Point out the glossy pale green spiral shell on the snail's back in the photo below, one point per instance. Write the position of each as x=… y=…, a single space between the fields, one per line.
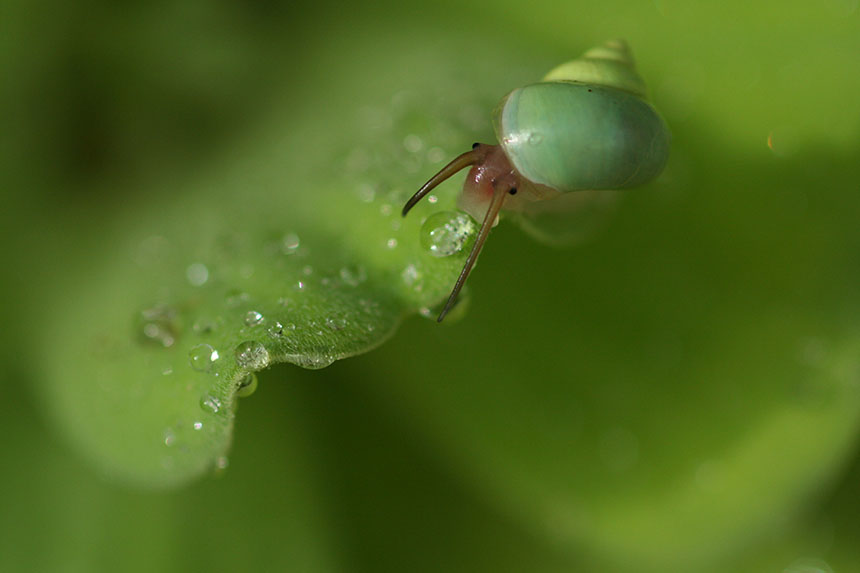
x=586 y=126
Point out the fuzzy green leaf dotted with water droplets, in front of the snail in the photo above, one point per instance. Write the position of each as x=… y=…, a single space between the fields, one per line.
x=265 y=260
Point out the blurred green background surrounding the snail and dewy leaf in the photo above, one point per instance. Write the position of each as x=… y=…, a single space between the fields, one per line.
x=681 y=392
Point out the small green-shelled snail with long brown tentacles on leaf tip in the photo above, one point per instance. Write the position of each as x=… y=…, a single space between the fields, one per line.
x=585 y=126
